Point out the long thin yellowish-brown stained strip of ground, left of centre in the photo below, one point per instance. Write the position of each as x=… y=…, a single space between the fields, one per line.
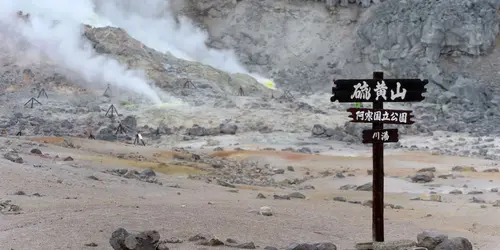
x=157 y=167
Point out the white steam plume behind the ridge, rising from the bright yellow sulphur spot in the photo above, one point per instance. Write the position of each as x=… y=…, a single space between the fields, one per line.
x=152 y=22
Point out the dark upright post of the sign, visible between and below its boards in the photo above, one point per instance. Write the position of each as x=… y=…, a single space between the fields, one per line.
x=378 y=176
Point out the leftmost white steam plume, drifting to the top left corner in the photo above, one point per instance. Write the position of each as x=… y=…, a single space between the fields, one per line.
x=63 y=43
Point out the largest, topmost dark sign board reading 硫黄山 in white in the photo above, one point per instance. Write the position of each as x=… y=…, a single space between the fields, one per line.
x=370 y=90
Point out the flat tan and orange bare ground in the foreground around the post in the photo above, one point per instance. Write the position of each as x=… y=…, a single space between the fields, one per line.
x=68 y=199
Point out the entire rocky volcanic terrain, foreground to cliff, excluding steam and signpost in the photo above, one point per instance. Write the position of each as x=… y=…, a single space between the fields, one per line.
x=216 y=162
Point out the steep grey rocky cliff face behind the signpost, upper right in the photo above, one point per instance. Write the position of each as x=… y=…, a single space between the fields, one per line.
x=451 y=42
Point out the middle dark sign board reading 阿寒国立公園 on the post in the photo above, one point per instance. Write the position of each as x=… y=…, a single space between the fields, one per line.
x=387 y=116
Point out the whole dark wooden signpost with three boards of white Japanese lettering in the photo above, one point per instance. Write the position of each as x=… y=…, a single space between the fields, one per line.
x=377 y=91
